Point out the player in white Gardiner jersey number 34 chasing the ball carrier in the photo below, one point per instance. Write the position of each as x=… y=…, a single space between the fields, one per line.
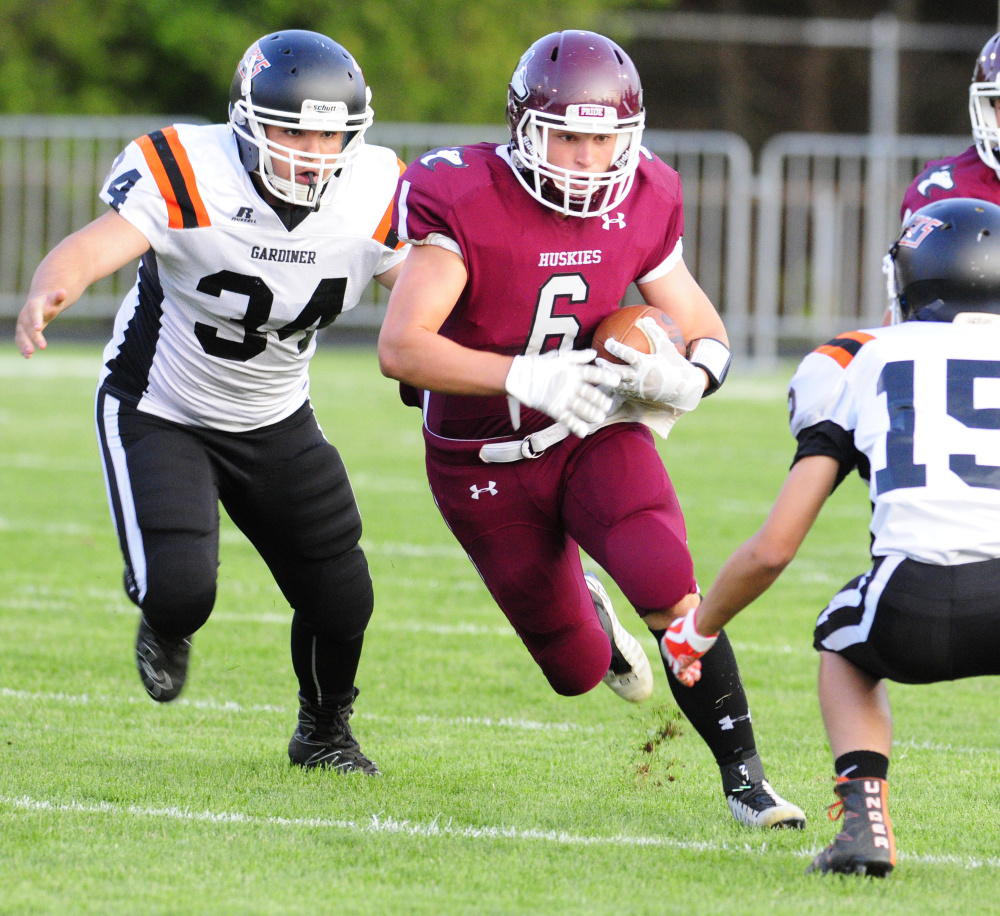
x=252 y=236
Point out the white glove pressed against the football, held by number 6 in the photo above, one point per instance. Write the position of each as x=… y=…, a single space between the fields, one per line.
x=662 y=375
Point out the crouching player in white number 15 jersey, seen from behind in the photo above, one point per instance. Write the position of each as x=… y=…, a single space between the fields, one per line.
x=914 y=407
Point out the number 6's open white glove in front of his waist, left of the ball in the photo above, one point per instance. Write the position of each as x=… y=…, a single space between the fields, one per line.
x=563 y=386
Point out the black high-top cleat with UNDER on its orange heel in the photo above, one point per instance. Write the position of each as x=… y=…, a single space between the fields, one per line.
x=866 y=844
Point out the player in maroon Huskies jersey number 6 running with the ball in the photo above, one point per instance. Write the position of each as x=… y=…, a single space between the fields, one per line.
x=533 y=451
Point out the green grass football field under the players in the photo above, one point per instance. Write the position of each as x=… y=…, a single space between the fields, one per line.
x=498 y=796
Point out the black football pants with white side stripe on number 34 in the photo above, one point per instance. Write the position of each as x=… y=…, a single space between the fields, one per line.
x=284 y=486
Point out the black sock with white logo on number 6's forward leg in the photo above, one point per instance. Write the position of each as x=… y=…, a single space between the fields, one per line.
x=717 y=705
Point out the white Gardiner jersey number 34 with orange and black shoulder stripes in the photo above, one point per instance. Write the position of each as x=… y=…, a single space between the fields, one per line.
x=220 y=327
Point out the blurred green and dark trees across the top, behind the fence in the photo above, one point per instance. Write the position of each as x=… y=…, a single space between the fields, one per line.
x=450 y=60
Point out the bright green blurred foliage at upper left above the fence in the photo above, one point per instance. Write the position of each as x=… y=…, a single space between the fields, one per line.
x=426 y=60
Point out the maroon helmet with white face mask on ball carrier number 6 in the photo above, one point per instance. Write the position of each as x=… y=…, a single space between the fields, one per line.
x=584 y=83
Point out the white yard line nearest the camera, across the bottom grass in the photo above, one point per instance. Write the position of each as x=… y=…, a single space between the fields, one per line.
x=444 y=827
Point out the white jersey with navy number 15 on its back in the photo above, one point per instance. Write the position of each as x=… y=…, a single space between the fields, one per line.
x=916 y=406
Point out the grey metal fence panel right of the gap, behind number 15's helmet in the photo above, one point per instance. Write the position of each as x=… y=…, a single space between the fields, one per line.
x=827 y=211
